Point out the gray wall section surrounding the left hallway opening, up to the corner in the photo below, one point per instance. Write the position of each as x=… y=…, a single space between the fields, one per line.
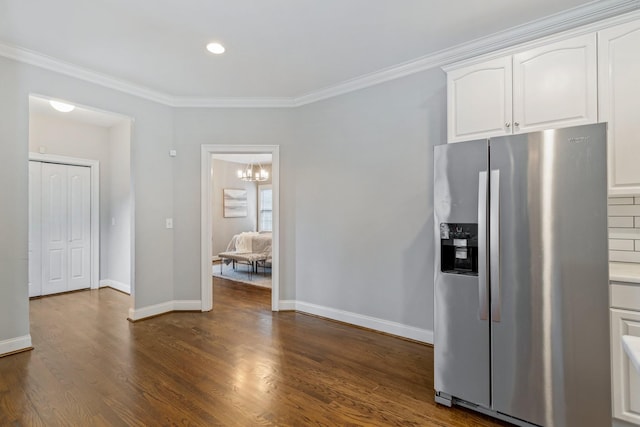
x=152 y=177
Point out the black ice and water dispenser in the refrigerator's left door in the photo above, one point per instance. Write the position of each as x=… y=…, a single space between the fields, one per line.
x=459 y=248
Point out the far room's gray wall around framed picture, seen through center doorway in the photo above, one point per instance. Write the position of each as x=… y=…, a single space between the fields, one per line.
x=223 y=229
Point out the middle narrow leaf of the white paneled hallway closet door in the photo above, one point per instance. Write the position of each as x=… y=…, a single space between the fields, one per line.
x=55 y=233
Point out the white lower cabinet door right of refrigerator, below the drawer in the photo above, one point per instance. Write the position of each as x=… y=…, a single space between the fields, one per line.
x=626 y=380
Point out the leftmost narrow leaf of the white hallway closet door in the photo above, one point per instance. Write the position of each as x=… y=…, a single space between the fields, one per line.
x=35 y=230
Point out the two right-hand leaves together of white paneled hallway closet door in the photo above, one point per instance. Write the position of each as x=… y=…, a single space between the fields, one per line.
x=66 y=228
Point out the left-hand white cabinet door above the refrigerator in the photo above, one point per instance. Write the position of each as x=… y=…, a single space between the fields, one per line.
x=479 y=100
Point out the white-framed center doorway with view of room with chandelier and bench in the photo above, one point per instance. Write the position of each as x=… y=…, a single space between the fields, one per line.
x=240 y=217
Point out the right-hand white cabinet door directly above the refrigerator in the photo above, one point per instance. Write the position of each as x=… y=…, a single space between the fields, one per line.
x=555 y=85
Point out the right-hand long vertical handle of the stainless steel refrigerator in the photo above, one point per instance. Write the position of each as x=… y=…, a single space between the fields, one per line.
x=494 y=244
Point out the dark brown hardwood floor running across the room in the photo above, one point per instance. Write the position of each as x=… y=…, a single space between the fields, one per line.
x=239 y=365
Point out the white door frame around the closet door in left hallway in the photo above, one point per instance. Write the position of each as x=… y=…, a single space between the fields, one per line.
x=94 y=165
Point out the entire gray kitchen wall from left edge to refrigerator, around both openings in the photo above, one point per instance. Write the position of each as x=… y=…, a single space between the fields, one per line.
x=355 y=187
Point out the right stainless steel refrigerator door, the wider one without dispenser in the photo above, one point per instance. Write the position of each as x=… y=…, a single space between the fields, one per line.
x=550 y=344
